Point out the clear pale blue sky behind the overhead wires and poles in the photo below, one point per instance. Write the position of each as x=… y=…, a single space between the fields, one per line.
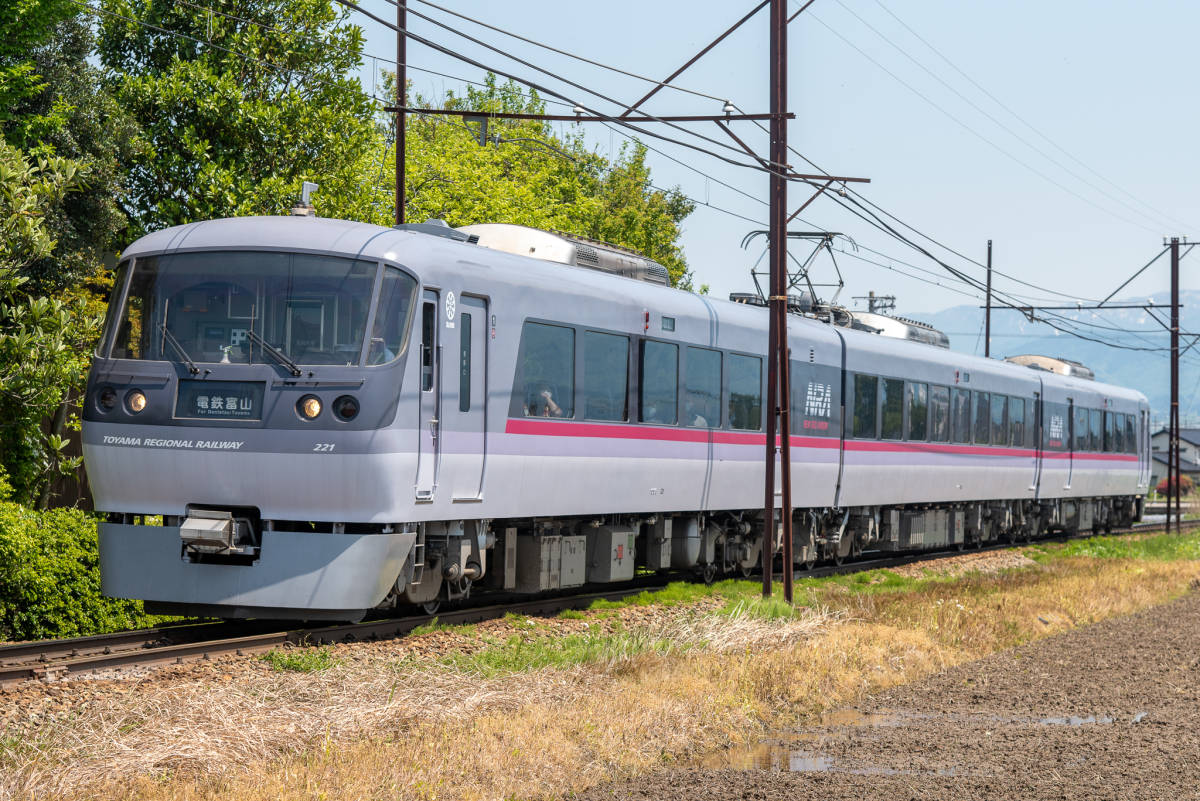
x=1108 y=83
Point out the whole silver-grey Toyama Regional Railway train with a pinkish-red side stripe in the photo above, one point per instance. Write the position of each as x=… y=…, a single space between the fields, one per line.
x=307 y=418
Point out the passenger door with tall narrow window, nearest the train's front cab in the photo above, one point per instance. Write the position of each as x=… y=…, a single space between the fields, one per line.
x=465 y=414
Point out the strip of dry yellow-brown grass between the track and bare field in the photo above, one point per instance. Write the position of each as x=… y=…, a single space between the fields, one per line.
x=422 y=730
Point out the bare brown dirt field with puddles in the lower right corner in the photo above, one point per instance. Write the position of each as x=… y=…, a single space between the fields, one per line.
x=1105 y=712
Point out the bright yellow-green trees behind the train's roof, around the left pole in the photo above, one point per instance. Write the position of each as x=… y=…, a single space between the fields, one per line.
x=524 y=173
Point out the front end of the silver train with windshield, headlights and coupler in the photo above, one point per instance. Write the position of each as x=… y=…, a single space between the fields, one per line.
x=242 y=433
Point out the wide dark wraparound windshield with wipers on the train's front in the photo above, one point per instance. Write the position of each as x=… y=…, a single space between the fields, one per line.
x=226 y=306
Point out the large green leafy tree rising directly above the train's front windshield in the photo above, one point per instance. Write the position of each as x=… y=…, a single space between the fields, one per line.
x=249 y=100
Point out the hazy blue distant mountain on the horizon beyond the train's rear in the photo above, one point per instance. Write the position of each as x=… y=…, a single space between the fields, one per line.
x=1149 y=372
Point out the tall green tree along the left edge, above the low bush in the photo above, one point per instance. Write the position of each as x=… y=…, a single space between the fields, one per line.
x=62 y=185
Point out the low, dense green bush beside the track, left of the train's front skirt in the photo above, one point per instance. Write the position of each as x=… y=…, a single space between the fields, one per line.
x=50 y=577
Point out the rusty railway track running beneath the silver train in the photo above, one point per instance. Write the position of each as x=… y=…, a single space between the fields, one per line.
x=51 y=660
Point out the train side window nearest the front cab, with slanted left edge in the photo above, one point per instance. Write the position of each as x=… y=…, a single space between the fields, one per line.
x=545 y=381
